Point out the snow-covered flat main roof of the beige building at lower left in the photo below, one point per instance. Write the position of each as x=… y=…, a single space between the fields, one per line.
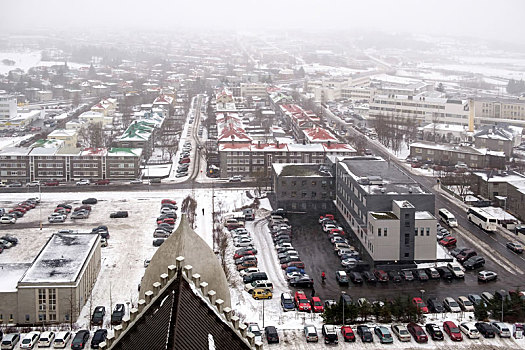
x=61 y=259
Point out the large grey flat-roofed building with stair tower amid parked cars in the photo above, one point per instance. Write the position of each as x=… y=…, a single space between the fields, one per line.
x=368 y=185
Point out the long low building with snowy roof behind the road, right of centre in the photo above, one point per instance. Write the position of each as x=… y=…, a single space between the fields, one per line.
x=451 y=155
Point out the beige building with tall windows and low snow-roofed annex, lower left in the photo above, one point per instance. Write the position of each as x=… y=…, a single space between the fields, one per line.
x=55 y=287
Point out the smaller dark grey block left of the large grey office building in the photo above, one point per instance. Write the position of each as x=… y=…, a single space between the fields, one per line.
x=303 y=187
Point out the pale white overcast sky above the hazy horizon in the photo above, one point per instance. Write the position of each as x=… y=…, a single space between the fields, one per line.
x=496 y=19
